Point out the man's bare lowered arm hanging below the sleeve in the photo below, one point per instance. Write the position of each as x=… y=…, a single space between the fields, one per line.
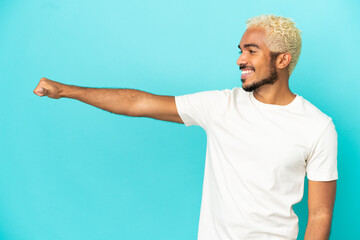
x=321 y=199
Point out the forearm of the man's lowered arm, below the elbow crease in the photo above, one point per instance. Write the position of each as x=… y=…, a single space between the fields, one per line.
x=318 y=228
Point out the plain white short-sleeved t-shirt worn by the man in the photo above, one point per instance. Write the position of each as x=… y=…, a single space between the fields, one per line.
x=256 y=159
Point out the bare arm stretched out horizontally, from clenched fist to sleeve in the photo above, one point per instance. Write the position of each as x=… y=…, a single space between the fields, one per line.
x=128 y=102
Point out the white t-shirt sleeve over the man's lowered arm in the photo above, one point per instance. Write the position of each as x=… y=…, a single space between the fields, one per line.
x=322 y=163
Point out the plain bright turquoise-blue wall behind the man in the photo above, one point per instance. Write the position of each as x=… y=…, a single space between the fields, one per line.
x=71 y=171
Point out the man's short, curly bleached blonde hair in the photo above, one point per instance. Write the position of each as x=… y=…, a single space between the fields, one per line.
x=281 y=35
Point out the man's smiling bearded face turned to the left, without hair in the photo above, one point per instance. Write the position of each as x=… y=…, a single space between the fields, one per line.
x=256 y=61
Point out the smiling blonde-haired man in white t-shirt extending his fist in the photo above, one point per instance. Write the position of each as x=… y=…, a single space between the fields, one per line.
x=262 y=139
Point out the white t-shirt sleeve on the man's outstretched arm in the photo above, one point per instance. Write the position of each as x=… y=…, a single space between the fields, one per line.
x=198 y=108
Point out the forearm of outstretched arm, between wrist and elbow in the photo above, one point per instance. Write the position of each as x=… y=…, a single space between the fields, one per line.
x=119 y=101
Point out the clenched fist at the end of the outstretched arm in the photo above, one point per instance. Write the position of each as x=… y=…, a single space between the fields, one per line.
x=47 y=87
